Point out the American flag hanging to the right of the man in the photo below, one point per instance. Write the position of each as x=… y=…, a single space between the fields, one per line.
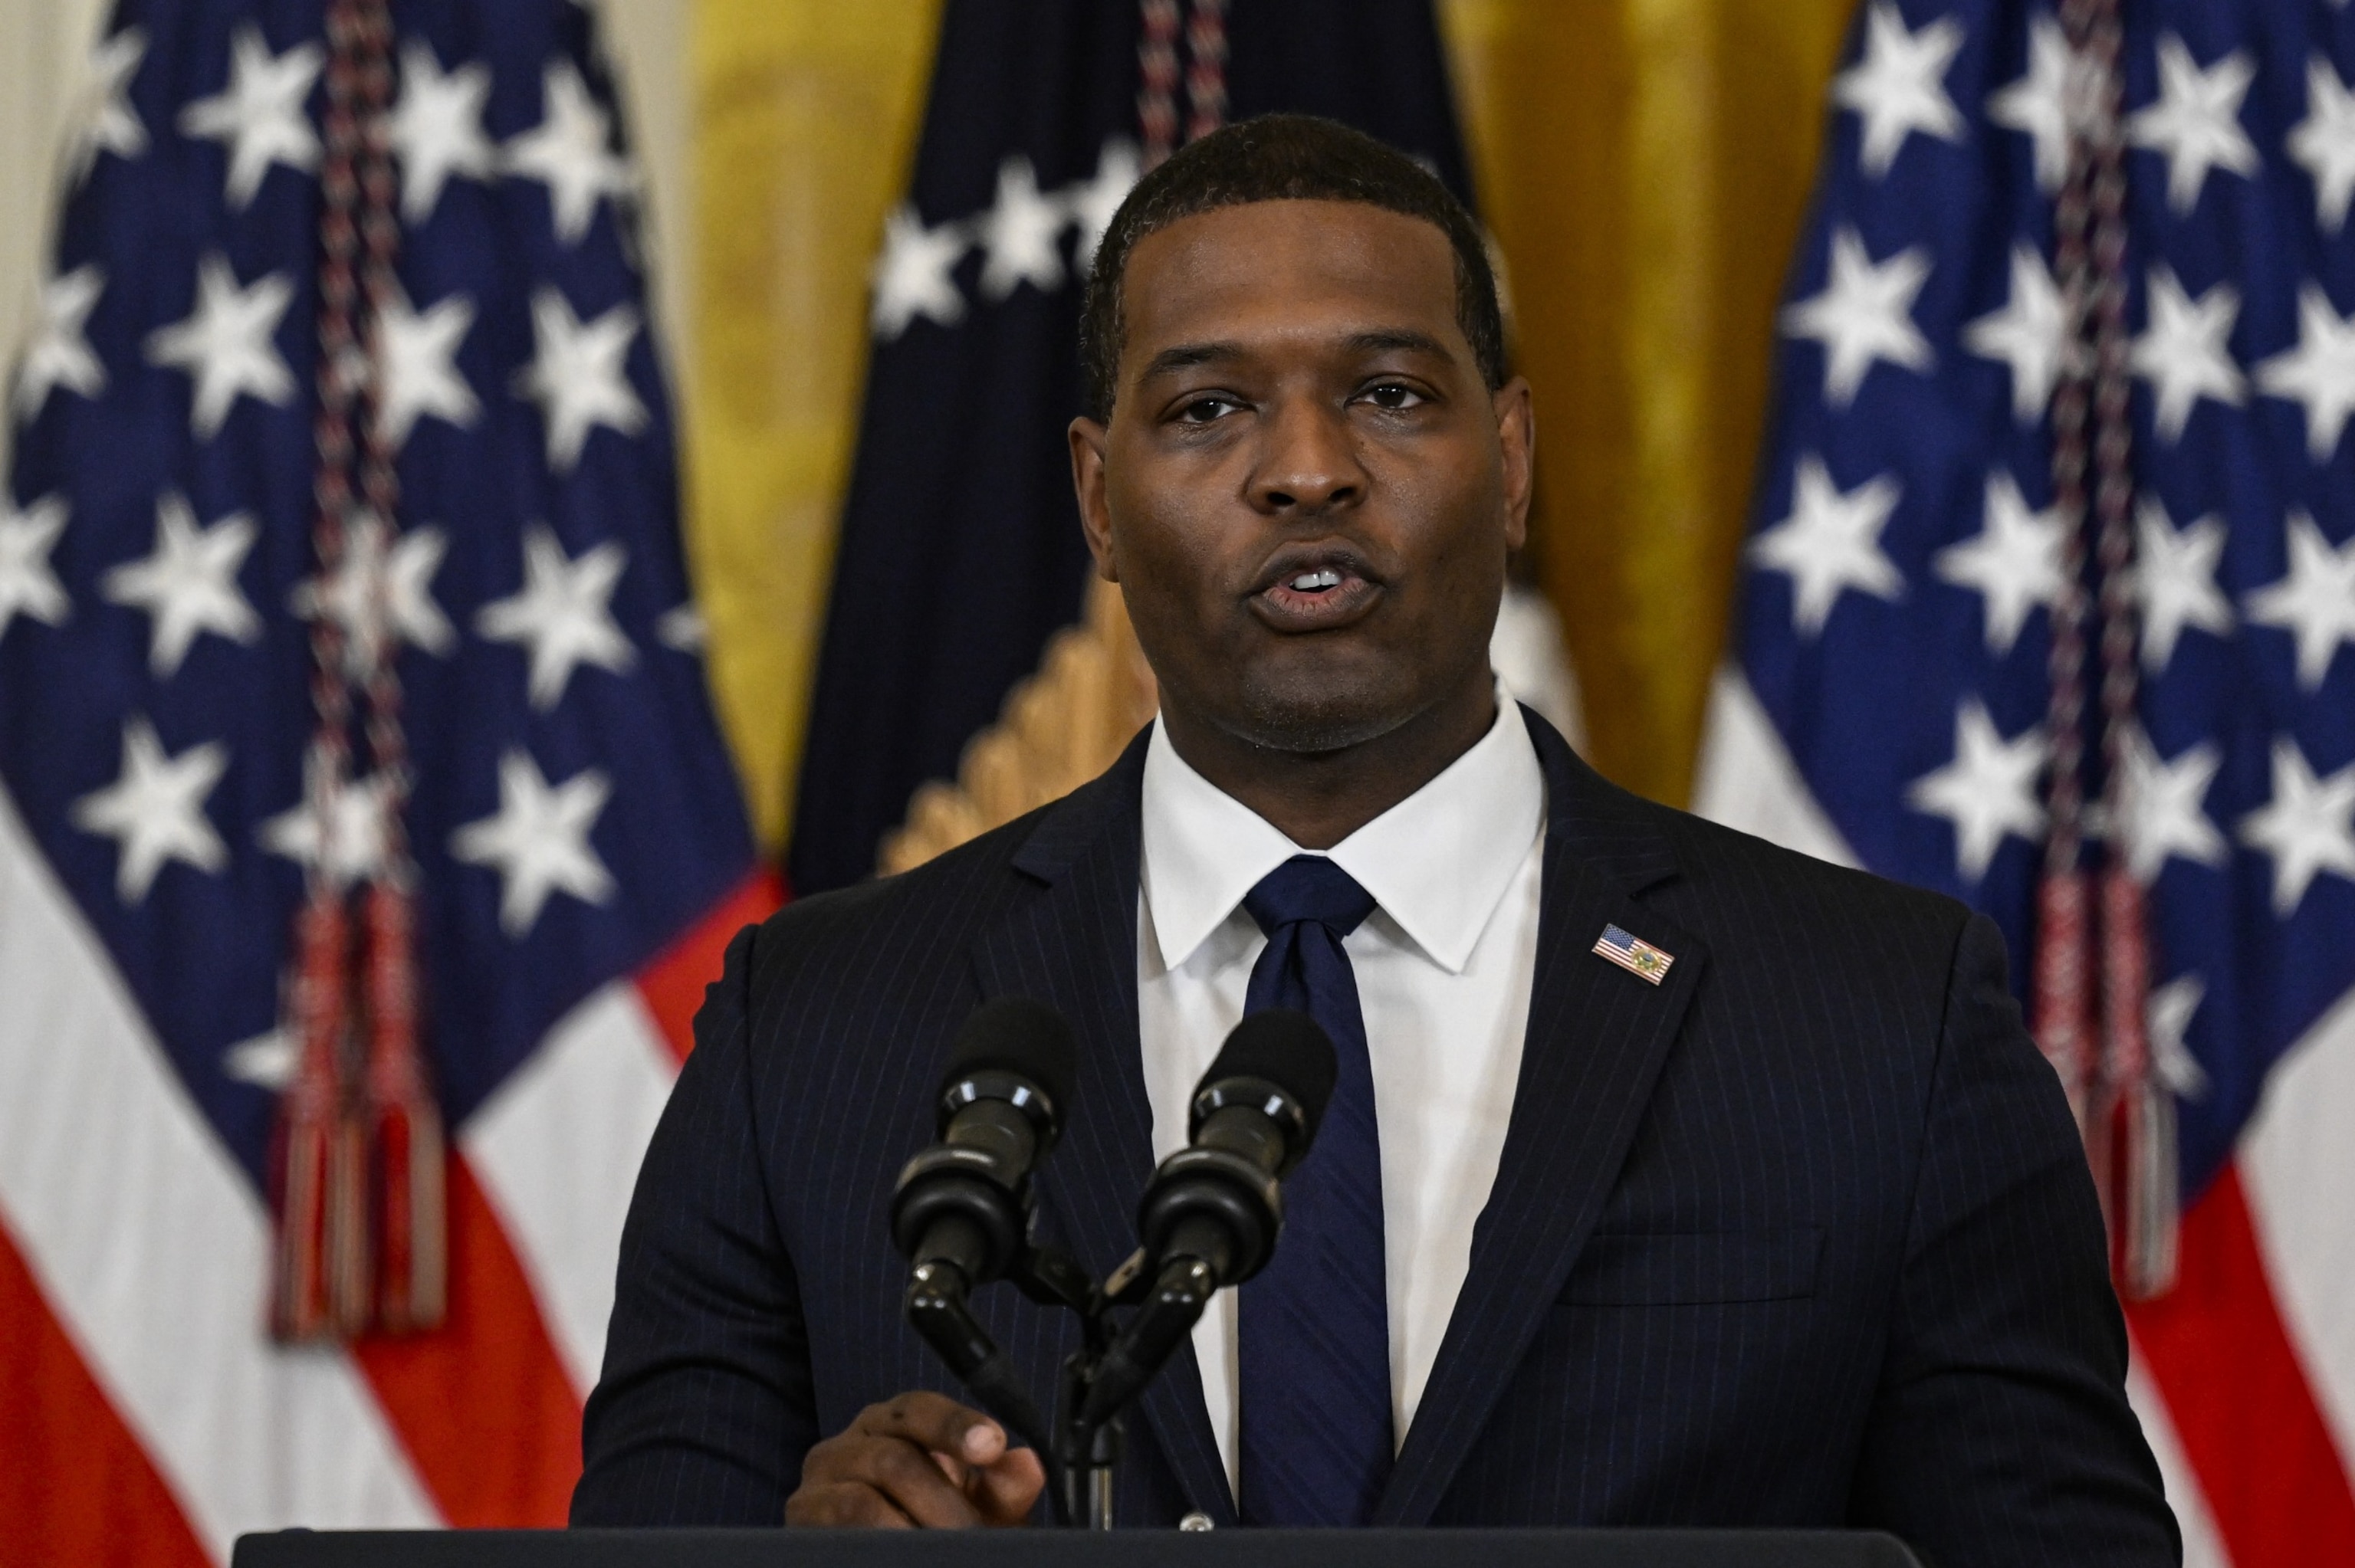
x=2052 y=578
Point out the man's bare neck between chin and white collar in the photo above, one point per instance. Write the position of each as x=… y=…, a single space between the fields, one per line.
x=1322 y=797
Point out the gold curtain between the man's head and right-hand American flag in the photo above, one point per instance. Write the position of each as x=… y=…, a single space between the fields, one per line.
x=1645 y=168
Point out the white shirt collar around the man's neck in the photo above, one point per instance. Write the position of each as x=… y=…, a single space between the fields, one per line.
x=1438 y=863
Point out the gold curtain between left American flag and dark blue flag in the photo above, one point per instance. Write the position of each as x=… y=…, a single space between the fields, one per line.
x=804 y=117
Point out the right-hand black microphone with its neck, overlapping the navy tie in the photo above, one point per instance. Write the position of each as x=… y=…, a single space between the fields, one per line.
x=1214 y=1211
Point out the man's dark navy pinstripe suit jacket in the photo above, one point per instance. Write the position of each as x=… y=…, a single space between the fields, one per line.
x=1798 y=1237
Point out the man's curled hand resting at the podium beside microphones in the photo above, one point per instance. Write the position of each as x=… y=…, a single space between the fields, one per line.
x=917 y=1461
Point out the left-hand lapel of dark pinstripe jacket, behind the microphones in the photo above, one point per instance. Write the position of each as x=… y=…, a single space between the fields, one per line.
x=1075 y=948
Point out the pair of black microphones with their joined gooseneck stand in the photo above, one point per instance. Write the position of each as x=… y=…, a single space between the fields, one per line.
x=964 y=1214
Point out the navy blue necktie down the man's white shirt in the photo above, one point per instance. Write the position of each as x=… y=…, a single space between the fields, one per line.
x=1315 y=1336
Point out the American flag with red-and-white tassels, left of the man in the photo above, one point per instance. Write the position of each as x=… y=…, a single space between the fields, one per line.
x=338 y=554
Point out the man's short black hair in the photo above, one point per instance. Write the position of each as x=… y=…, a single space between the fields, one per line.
x=1285 y=159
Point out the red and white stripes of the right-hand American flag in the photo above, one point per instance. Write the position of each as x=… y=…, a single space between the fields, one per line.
x=2245 y=1371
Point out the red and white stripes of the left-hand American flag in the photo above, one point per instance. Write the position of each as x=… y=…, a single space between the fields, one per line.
x=150 y=1416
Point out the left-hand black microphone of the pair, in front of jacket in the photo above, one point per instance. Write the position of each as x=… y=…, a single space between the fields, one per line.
x=967 y=1200
